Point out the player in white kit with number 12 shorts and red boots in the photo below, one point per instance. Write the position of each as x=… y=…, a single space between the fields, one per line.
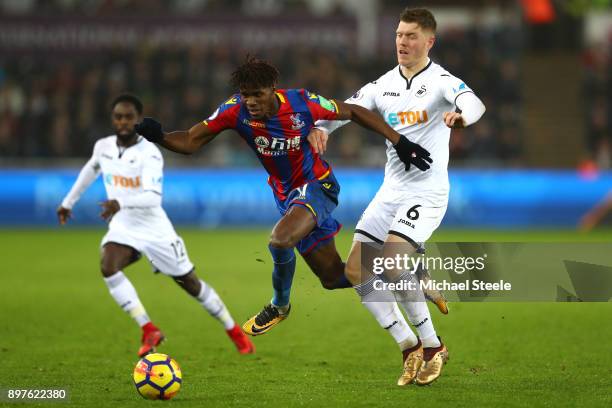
x=132 y=170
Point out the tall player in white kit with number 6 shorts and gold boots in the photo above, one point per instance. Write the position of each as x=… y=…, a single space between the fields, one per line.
x=422 y=101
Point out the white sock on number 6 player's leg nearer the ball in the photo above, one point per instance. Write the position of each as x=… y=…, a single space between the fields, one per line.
x=387 y=314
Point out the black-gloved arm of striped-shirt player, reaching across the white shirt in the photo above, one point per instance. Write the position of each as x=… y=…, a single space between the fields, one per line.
x=407 y=151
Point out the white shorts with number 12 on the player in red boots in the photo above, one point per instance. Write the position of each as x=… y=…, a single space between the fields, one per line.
x=168 y=256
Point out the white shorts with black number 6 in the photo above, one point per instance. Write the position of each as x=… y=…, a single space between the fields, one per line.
x=399 y=213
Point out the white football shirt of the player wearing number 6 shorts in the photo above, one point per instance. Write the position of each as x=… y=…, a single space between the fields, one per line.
x=414 y=108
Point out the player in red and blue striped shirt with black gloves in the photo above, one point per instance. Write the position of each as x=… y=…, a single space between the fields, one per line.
x=275 y=124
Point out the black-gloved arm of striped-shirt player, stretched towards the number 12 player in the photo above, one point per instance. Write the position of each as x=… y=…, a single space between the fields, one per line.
x=180 y=141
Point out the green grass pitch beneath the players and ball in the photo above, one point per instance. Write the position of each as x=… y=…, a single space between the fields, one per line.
x=60 y=328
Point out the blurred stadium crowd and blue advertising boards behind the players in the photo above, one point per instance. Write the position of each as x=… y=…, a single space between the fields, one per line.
x=542 y=151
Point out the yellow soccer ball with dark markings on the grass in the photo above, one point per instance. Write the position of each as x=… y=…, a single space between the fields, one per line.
x=157 y=376
